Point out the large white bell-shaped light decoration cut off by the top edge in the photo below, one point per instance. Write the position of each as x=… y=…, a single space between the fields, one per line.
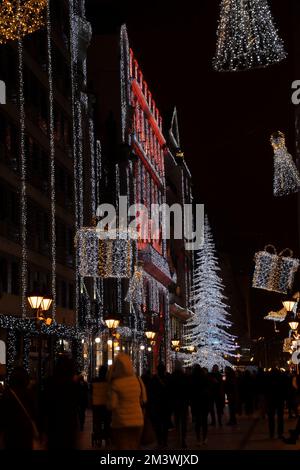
x=246 y=37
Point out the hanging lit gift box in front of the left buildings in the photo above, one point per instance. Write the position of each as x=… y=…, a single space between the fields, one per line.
x=105 y=254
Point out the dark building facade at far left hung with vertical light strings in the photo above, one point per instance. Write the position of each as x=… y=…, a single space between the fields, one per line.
x=45 y=135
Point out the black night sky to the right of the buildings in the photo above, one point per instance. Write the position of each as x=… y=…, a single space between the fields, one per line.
x=225 y=121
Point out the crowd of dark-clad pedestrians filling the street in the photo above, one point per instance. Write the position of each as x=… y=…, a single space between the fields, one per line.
x=130 y=411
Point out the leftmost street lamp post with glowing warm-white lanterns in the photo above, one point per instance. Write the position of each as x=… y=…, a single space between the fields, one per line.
x=40 y=304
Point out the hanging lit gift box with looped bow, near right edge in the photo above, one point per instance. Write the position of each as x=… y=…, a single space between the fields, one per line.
x=274 y=272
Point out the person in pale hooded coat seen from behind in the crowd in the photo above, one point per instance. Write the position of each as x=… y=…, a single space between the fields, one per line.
x=126 y=396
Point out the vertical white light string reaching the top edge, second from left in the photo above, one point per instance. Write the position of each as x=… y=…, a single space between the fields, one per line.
x=52 y=163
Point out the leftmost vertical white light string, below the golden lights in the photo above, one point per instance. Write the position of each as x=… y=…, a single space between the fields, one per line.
x=23 y=201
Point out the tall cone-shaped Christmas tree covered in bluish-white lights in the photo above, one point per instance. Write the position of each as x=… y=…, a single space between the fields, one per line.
x=207 y=329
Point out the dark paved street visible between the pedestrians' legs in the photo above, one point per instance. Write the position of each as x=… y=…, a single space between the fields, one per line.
x=251 y=433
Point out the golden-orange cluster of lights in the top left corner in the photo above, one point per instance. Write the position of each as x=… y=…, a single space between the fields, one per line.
x=21 y=17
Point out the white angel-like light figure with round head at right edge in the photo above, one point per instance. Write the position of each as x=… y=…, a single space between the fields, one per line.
x=286 y=175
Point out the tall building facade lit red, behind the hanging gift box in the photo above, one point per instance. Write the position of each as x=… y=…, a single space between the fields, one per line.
x=134 y=149
